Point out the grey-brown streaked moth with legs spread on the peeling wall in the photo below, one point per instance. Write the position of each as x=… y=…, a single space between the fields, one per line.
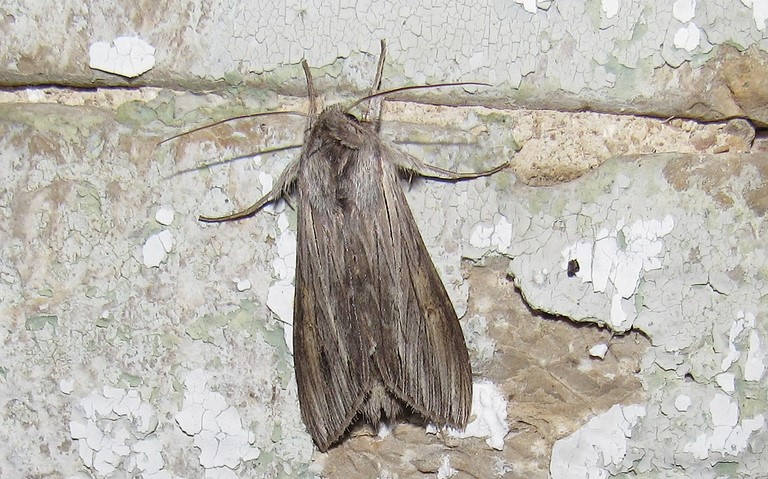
x=375 y=336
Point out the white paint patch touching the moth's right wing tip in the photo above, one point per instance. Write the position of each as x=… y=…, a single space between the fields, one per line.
x=490 y=411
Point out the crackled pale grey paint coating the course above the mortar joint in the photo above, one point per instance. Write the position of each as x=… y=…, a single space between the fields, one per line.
x=503 y=42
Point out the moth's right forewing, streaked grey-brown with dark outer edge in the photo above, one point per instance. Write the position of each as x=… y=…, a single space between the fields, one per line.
x=424 y=360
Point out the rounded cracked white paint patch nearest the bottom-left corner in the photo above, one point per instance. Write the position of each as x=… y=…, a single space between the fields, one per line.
x=114 y=430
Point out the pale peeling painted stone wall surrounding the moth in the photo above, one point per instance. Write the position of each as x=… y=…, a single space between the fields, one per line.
x=611 y=282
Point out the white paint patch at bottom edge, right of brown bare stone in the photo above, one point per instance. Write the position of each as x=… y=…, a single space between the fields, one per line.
x=598 y=444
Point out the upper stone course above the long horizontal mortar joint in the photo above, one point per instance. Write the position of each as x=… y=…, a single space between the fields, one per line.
x=703 y=60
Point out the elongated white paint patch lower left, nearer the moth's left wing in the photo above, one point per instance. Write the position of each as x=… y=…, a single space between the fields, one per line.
x=216 y=427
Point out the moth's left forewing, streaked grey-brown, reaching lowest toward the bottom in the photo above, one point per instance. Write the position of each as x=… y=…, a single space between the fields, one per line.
x=332 y=375
